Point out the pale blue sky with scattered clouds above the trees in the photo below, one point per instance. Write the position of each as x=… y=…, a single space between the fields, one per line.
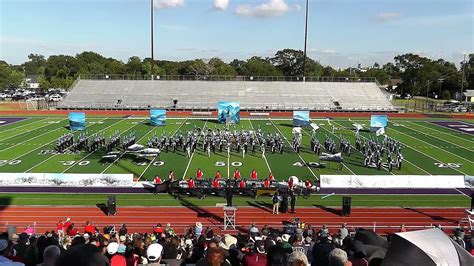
x=341 y=33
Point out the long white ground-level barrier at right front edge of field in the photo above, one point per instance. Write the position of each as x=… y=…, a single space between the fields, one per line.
x=392 y=181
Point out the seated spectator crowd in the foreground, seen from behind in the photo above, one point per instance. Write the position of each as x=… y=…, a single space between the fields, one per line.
x=296 y=244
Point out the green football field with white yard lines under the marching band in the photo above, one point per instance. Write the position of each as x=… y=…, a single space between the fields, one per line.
x=429 y=147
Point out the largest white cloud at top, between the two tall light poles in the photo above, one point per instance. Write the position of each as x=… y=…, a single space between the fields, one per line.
x=269 y=9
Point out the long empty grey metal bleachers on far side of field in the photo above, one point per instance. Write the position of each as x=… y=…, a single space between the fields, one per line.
x=204 y=95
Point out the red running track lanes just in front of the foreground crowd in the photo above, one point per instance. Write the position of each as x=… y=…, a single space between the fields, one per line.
x=141 y=219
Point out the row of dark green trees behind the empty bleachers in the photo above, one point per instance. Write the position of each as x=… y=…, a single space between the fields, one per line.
x=420 y=75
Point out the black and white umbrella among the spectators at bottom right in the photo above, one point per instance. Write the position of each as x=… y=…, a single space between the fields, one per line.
x=426 y=247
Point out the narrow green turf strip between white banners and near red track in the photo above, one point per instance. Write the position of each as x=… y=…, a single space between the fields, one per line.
x=166 y=200
